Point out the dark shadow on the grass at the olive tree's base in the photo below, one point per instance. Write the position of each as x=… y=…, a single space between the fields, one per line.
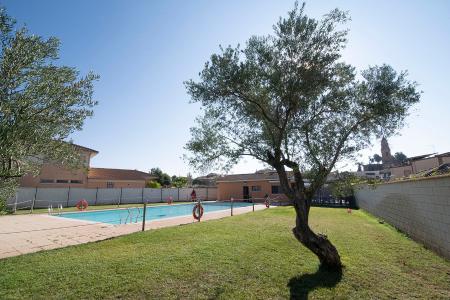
x=300 y=286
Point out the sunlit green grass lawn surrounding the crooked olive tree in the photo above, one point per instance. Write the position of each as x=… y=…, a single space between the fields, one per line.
x=246 y=256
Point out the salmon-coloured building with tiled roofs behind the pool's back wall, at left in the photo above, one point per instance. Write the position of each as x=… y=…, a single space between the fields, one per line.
x=53 y=175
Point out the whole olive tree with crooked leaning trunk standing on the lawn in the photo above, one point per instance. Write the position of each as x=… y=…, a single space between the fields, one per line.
x=288 y=100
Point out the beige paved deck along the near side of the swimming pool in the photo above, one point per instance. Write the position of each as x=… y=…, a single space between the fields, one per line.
x=21 y=234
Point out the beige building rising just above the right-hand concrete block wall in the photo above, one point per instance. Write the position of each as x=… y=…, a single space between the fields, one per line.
x=417 y=164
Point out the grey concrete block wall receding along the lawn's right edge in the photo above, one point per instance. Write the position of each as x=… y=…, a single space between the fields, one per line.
x=420 y=208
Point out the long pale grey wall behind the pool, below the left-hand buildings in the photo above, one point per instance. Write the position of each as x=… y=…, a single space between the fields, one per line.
x=31 y=198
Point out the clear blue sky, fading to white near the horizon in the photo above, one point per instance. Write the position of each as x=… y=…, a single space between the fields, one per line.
x=144 y=50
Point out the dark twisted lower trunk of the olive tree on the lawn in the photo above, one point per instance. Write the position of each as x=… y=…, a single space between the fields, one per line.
x=318 y=244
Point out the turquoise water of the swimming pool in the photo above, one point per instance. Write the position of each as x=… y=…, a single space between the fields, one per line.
x=132 y=215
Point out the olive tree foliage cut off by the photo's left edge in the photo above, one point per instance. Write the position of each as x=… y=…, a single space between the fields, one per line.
x=41 y=104
